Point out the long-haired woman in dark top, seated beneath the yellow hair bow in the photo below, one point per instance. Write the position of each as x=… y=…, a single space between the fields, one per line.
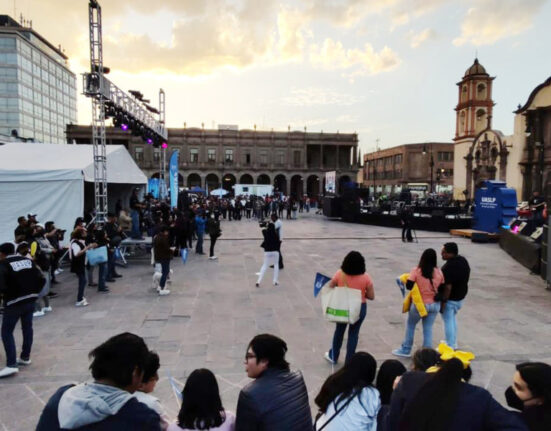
x=445 y=402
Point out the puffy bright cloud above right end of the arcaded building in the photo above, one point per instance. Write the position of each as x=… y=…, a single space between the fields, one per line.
x=366 y=61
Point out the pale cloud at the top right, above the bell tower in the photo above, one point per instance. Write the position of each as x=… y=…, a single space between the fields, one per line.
x=492 y=20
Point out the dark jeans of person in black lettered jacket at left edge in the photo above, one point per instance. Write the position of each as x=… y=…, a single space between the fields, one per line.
x=11 y=315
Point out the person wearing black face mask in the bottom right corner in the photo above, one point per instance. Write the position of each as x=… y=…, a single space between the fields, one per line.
x=531 y=394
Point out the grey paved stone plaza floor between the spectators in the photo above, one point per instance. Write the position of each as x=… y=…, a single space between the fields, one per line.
x=214 y=310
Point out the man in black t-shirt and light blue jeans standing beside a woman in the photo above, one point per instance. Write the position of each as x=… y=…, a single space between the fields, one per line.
x=456 y=272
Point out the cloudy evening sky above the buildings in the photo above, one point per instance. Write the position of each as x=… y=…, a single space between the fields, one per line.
x=385 y=69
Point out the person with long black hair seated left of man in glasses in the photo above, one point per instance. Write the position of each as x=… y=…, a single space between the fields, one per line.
x=201 y=406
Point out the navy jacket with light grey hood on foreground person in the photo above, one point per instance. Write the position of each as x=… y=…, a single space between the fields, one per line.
x=94 y=406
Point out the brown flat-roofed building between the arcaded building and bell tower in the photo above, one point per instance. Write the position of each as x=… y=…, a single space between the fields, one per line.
x=391 y=169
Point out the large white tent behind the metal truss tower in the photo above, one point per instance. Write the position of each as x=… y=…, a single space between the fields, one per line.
x=49 y=180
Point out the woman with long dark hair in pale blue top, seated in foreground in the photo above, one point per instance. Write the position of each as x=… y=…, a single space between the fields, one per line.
x=347 y=400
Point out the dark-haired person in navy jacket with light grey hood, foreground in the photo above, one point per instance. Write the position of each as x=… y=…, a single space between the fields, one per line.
x=106 y=404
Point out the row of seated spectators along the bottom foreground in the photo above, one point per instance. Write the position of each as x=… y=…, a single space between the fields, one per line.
x=434 y=395
